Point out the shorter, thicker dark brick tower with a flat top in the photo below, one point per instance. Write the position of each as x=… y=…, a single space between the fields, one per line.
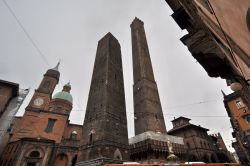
x=105 y=125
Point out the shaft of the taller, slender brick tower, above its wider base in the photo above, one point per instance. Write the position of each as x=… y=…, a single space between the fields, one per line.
x=147 y=105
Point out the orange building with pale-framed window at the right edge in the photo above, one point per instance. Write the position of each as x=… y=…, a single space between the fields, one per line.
x=237 y=106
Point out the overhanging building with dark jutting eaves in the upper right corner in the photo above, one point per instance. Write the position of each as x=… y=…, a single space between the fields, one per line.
x=218 y=35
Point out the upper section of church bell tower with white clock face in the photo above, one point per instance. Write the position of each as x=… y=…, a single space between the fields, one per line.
x=42 y=95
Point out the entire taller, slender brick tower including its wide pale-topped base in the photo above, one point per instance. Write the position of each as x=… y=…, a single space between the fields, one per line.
x=151 y=142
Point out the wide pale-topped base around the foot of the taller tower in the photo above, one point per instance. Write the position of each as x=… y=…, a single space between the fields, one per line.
x=152 y=148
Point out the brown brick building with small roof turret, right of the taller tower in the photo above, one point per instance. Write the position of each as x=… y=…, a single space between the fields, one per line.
x=201 y=146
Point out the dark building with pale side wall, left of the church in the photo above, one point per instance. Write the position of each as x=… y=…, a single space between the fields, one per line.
x=11 y=98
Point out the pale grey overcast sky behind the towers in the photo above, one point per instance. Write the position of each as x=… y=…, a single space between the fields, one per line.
x=69 y=30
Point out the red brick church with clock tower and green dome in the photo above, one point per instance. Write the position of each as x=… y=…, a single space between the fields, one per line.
x=44 y=135
